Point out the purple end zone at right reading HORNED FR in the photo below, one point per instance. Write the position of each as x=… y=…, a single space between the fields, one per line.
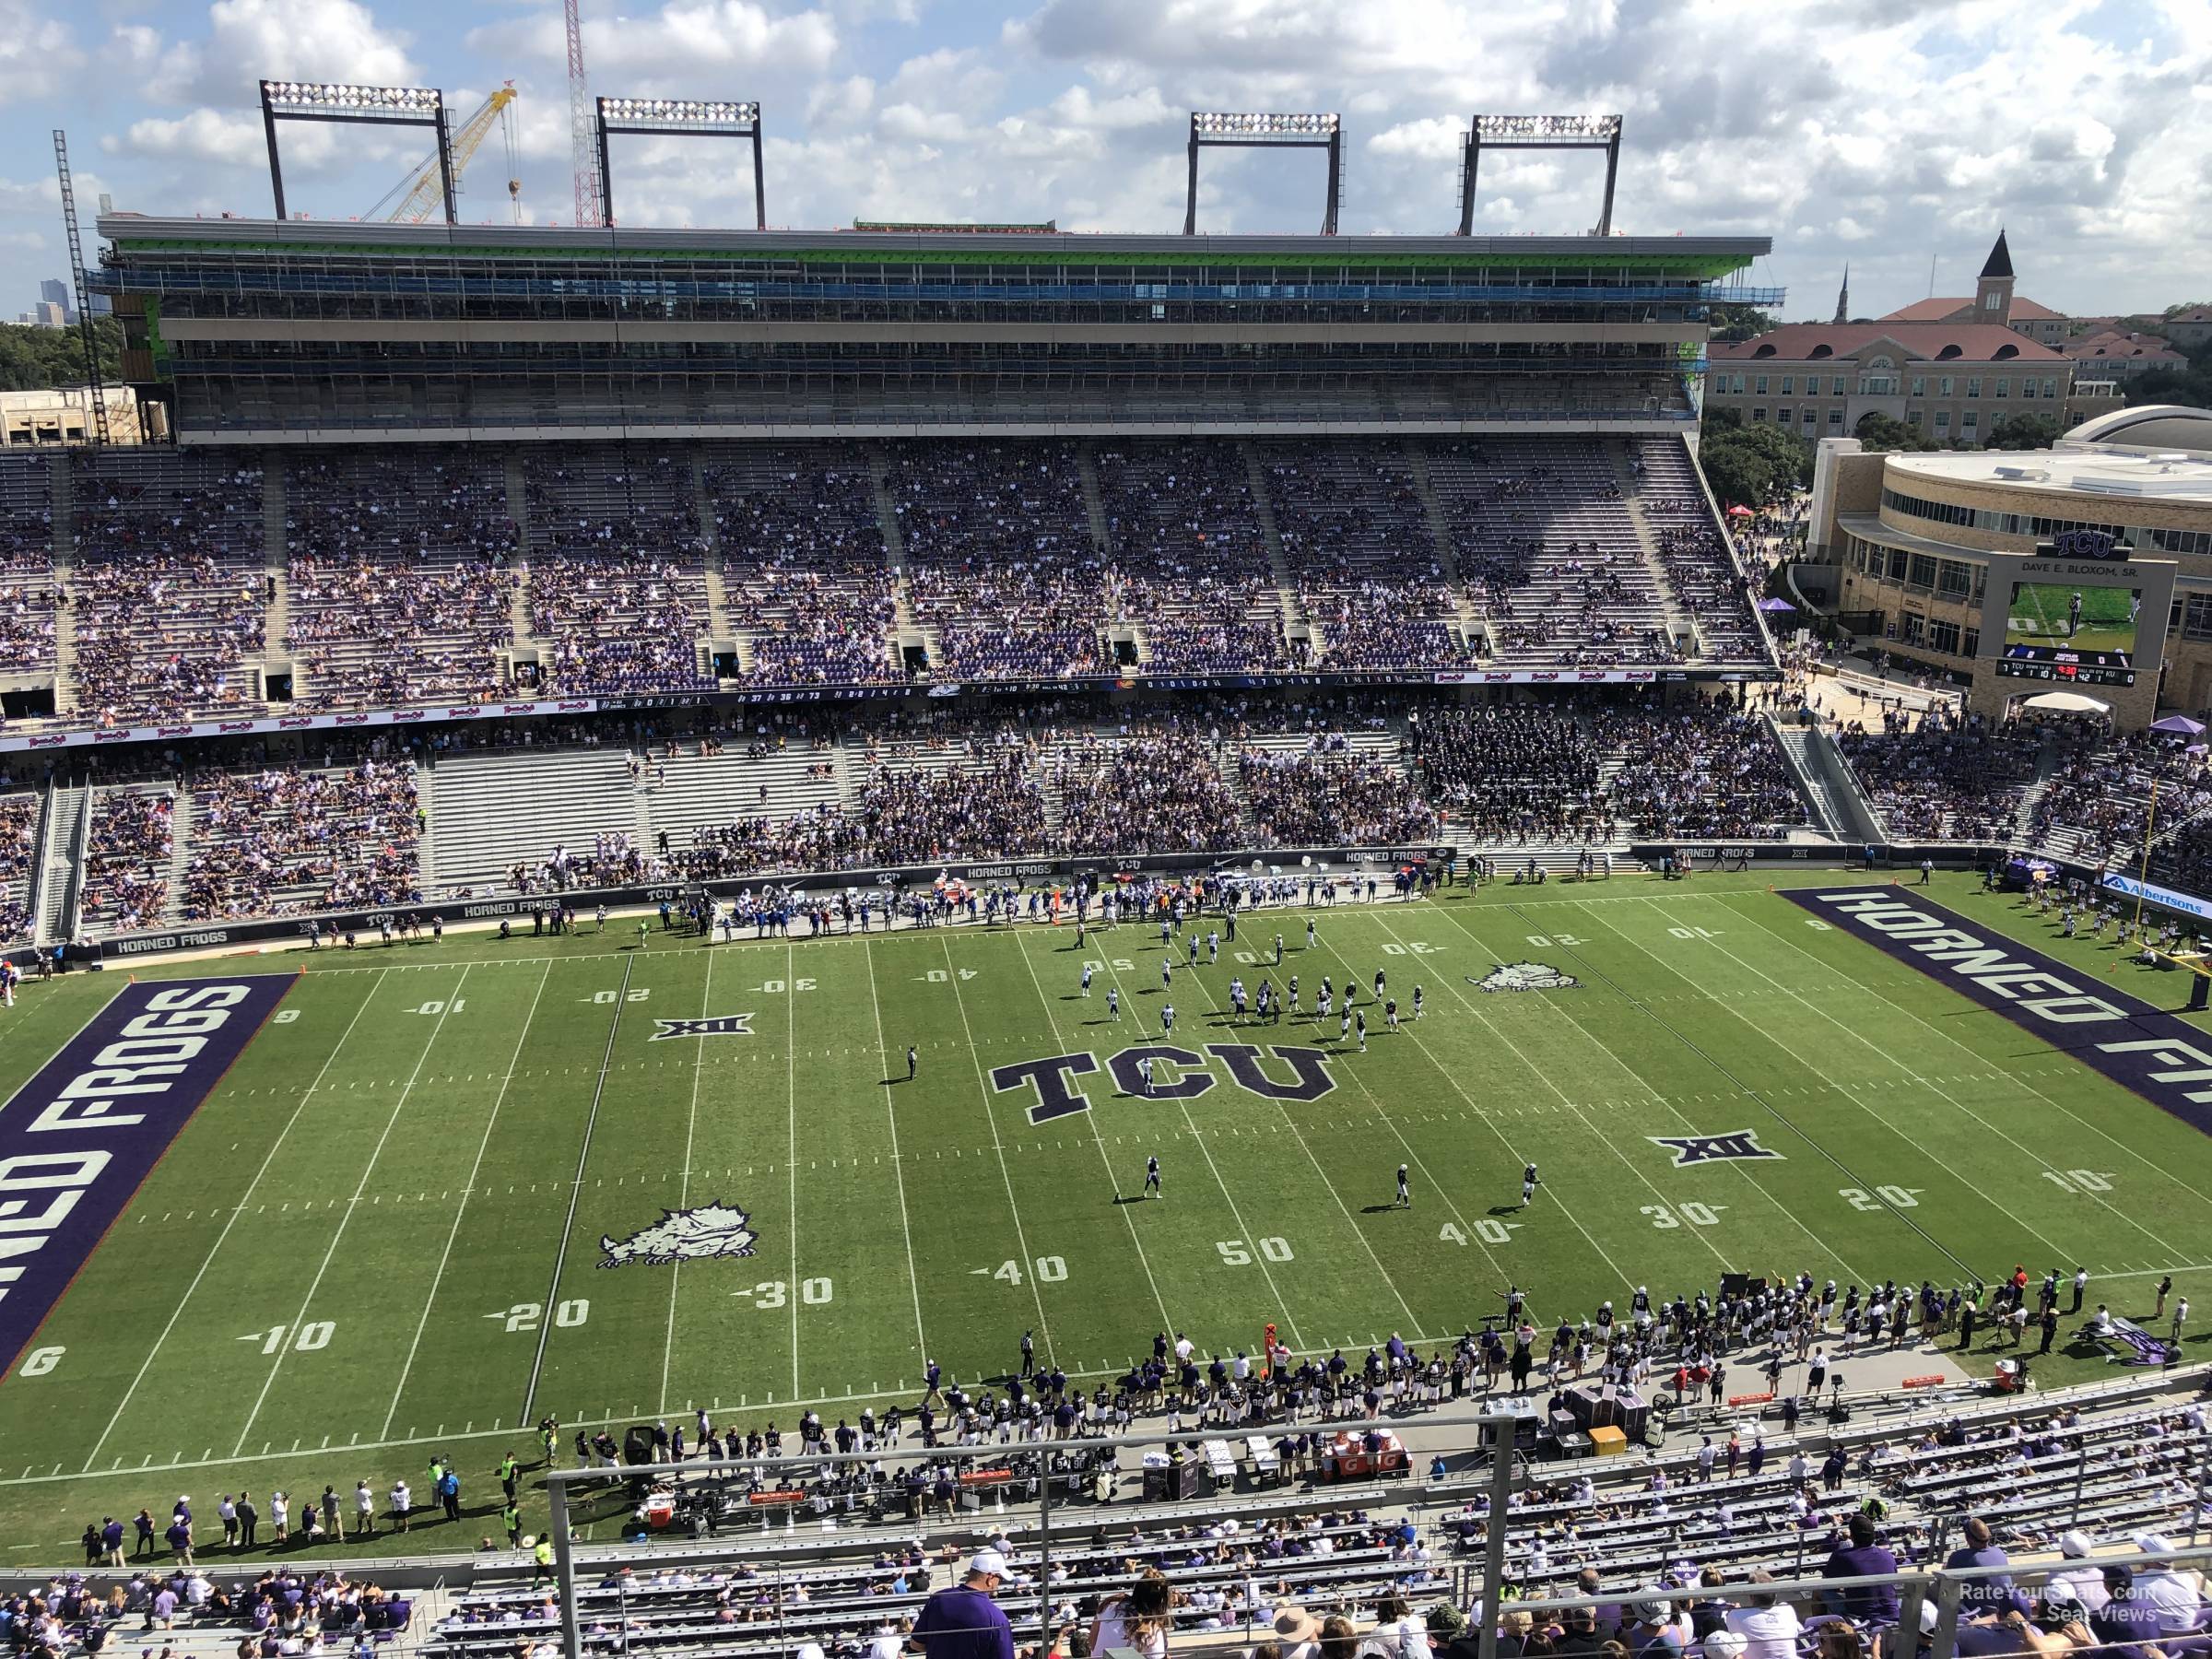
x=2145 y=1050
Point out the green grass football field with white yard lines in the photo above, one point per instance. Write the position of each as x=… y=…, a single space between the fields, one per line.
x=382 y=1235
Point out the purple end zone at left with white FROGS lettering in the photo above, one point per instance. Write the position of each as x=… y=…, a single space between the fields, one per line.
x=85 y=1134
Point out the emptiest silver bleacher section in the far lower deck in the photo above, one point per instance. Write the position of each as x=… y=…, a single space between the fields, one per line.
x=517 y=806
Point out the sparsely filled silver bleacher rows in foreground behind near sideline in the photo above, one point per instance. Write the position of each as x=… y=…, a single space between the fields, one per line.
x=853 y=1576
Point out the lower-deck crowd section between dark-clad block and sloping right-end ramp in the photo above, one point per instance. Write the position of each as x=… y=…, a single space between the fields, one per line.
x=1700 y=771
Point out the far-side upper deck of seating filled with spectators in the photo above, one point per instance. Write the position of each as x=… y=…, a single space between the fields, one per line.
x=388 y=576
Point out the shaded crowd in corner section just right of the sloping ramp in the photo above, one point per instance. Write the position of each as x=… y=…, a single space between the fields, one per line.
x=1943 y=778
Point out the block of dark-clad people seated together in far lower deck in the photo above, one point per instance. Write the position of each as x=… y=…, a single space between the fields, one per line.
x=1514 y=773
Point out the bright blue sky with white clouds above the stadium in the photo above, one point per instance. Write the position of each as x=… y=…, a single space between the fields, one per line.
x=1884 y=132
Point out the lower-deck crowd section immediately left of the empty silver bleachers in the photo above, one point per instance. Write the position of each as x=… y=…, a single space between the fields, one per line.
x=291 y=842
